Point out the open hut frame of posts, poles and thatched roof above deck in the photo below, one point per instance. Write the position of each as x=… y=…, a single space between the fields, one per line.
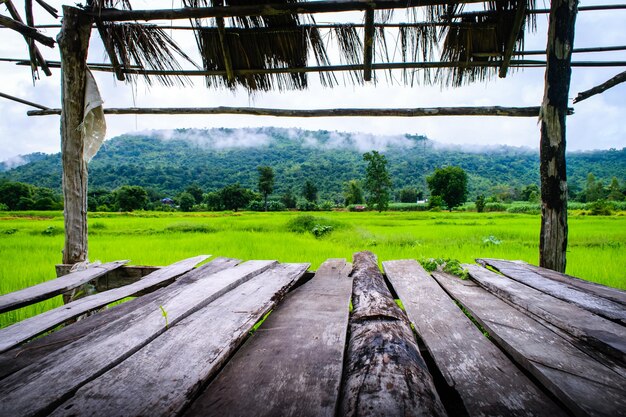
x=278 y=45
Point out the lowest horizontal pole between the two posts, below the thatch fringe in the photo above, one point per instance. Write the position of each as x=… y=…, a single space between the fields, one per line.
x=252 y=111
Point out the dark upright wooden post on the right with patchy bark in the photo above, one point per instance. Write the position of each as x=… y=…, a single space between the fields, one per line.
x=553 y=240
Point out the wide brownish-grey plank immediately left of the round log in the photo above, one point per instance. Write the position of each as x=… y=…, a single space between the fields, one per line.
x=292 y=365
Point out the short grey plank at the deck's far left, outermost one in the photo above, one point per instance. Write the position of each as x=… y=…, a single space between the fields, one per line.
x=54 y=287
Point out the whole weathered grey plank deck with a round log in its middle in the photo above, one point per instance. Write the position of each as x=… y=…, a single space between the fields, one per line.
x=185 y=349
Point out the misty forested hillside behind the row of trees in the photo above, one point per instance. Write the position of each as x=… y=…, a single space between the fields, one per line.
x=168 y=161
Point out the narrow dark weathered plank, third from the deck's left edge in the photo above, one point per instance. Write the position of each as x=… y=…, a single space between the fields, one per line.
x=22 y=356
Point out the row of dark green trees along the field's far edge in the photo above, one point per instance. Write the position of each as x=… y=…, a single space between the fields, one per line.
x=447 y=188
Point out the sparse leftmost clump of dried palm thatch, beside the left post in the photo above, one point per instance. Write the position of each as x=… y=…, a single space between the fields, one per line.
x=146 y=47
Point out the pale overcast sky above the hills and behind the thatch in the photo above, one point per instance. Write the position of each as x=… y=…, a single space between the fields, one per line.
x=597 y=124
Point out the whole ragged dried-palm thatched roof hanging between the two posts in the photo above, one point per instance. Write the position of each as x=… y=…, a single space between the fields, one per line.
x=279 y=50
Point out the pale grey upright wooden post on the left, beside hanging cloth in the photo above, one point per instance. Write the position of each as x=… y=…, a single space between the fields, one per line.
x=73 y=43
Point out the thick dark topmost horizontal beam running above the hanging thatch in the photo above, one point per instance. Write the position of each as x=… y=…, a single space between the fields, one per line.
x=312 y=7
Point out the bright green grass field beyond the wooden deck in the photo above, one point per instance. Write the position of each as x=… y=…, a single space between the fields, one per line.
x=31 y=242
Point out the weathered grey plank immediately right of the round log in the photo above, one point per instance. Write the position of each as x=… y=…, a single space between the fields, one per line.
x=486 y=380
